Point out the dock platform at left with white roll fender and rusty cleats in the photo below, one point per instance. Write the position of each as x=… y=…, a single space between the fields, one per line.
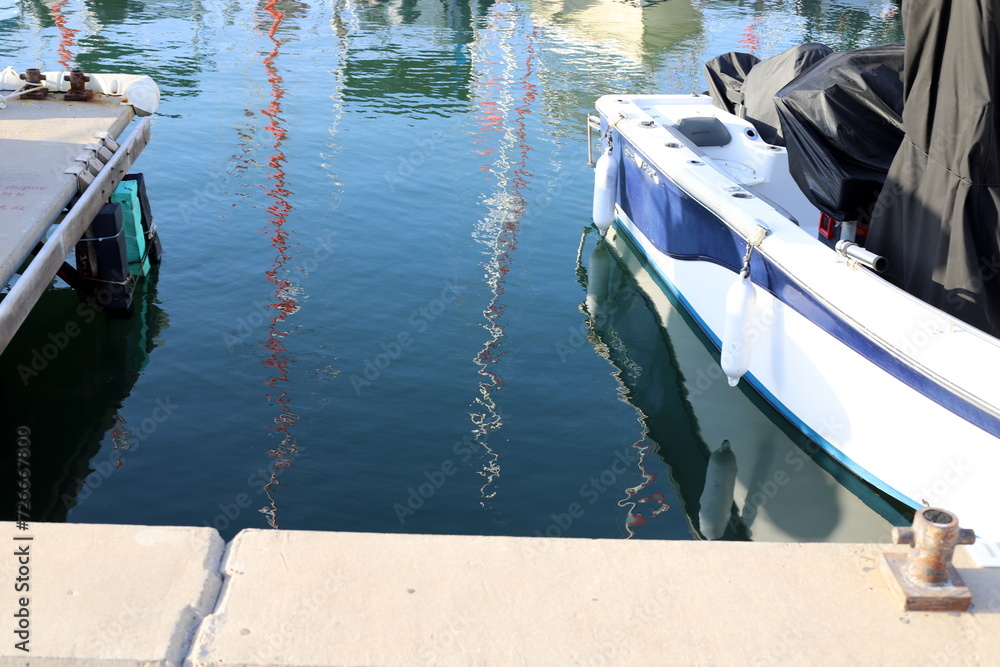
x=61 y=158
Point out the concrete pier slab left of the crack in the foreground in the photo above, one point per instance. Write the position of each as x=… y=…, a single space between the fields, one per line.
x=115 y=595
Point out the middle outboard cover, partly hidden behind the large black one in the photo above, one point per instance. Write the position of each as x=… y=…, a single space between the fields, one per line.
x=769 y=76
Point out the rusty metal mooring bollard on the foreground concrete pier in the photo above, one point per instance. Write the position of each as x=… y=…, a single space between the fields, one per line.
x=925 y=578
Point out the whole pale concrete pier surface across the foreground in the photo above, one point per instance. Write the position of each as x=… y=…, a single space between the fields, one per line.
x=131 y=595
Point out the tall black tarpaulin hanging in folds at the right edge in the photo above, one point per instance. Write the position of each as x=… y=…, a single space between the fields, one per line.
x=936 y=219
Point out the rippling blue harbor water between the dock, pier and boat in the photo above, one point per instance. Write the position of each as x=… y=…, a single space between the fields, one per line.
x=381 y=306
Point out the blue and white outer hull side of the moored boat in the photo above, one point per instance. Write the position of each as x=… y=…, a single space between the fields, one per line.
x=880 y=414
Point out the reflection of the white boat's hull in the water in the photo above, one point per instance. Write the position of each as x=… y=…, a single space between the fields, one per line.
x=739 y=470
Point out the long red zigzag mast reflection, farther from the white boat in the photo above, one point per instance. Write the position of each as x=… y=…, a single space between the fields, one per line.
x=284 y=303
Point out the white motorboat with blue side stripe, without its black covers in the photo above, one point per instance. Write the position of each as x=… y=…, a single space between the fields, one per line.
x=897 y=390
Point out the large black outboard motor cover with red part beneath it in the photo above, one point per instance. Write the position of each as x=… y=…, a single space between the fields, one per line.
x=842 y=125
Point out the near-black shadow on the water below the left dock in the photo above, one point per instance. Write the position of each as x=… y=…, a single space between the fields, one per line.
x=66 y=373
